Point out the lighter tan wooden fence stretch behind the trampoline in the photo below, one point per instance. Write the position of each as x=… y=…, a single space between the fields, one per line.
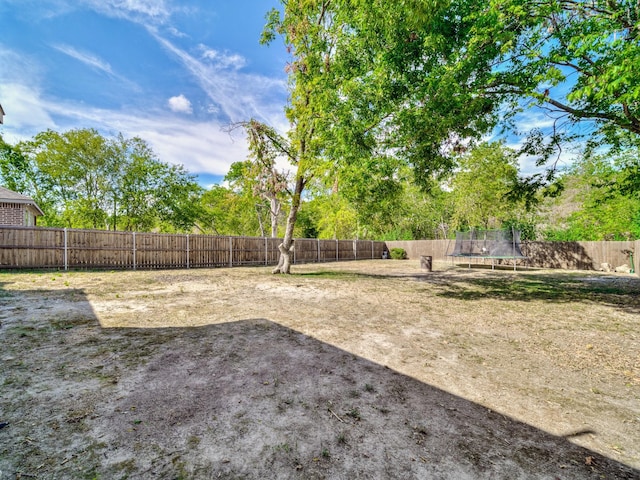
x=562 y=255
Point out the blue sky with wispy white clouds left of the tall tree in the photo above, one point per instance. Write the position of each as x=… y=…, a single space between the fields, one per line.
x=171 y=72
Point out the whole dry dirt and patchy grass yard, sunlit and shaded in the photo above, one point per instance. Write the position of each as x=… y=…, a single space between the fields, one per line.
x=352 y=370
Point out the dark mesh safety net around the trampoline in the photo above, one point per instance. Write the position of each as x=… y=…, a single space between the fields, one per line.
x=488 y=244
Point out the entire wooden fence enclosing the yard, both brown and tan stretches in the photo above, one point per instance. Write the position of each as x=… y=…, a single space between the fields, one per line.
x=38 y=247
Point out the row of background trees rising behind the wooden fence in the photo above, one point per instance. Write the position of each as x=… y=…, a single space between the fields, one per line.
x=81 y=179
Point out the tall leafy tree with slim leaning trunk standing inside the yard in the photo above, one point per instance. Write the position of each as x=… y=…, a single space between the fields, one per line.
x=371 y=90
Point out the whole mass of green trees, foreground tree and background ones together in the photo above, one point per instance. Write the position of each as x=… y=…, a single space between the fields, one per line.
x=389 y=105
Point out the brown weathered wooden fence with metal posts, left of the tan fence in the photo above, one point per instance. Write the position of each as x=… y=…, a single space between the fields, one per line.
x=61 y=248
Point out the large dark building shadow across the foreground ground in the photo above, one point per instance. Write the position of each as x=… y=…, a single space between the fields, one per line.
x=245 y=399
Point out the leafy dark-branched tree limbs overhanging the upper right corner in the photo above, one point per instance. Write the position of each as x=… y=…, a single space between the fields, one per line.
x=575 y=60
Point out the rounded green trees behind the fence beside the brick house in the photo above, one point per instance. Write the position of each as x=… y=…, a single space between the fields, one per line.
x=83 y=180
